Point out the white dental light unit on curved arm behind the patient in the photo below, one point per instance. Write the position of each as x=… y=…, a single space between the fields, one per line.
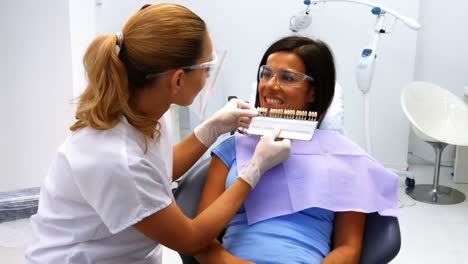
x=366 y=64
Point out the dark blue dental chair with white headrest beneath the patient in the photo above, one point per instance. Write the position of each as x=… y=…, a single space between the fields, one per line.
x=382 y=238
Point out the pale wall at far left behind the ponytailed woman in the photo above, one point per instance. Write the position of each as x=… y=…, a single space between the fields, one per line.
x=35 y=87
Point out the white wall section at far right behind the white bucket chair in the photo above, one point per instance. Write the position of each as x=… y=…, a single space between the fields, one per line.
x=442 y=58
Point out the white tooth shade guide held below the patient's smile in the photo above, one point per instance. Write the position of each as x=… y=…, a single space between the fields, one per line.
x=294 y=124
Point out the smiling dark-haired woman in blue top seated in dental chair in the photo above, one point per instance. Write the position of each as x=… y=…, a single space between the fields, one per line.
x=295 y=73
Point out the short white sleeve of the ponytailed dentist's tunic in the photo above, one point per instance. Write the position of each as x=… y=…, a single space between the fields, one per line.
x=121 y=189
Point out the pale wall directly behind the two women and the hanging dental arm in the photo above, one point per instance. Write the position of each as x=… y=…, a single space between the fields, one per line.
x=246 y=28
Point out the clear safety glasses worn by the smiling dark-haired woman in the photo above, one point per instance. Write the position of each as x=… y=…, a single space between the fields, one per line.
x=284 y=77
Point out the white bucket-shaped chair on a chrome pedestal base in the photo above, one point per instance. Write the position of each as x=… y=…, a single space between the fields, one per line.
x=439 y=118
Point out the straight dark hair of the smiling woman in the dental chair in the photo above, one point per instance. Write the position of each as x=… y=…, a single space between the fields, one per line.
x=319 y=64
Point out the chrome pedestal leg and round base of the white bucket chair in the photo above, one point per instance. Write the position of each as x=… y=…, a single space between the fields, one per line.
x=435 y=193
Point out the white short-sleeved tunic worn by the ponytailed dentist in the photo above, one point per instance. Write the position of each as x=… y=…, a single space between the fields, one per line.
x=100 y=184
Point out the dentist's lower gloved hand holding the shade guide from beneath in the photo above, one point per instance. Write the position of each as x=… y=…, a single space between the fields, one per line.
x=268 y=153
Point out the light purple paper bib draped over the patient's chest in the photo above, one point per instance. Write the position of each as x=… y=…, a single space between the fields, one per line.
x=328 y=172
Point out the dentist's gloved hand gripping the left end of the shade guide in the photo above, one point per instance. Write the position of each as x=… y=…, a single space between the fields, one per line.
x=234 y=114
